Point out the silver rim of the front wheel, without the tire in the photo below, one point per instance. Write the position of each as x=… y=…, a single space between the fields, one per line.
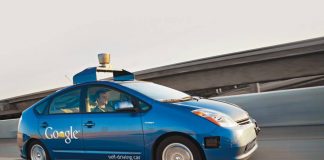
x=176 y=151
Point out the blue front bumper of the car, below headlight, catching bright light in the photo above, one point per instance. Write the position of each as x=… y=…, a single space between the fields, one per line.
x=237 y=143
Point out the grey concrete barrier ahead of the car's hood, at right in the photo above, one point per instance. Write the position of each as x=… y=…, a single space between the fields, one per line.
x=293 y=107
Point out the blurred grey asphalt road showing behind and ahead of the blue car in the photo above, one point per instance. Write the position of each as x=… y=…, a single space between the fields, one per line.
x=282 y=143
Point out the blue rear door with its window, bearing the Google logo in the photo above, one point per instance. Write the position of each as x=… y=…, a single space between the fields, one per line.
x=60 y=127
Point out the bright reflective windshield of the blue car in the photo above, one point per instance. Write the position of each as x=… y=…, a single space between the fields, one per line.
x=158 y=92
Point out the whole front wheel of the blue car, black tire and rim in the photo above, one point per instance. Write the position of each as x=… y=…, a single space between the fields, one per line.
x=178 y=148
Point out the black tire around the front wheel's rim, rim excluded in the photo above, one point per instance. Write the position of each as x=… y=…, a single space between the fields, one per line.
x=196 y=153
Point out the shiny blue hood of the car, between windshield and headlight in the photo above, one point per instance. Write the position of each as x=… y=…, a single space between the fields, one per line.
x=235 y=112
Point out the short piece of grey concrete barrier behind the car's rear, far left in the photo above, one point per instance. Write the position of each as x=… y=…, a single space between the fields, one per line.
x=8 y=128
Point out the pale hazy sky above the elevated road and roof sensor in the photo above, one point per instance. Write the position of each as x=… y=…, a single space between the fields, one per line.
x=44 y=43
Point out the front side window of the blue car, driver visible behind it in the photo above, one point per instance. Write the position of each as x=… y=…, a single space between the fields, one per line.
x=105 y=99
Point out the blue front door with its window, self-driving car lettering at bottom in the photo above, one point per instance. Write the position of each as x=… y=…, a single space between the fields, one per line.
x=108 y=132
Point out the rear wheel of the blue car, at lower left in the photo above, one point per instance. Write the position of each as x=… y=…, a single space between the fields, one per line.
x=37 y=151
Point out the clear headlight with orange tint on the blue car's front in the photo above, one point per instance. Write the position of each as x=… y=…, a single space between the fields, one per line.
x=215 y=117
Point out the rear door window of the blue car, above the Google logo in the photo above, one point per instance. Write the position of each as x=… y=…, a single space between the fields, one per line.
x=66 y=103
